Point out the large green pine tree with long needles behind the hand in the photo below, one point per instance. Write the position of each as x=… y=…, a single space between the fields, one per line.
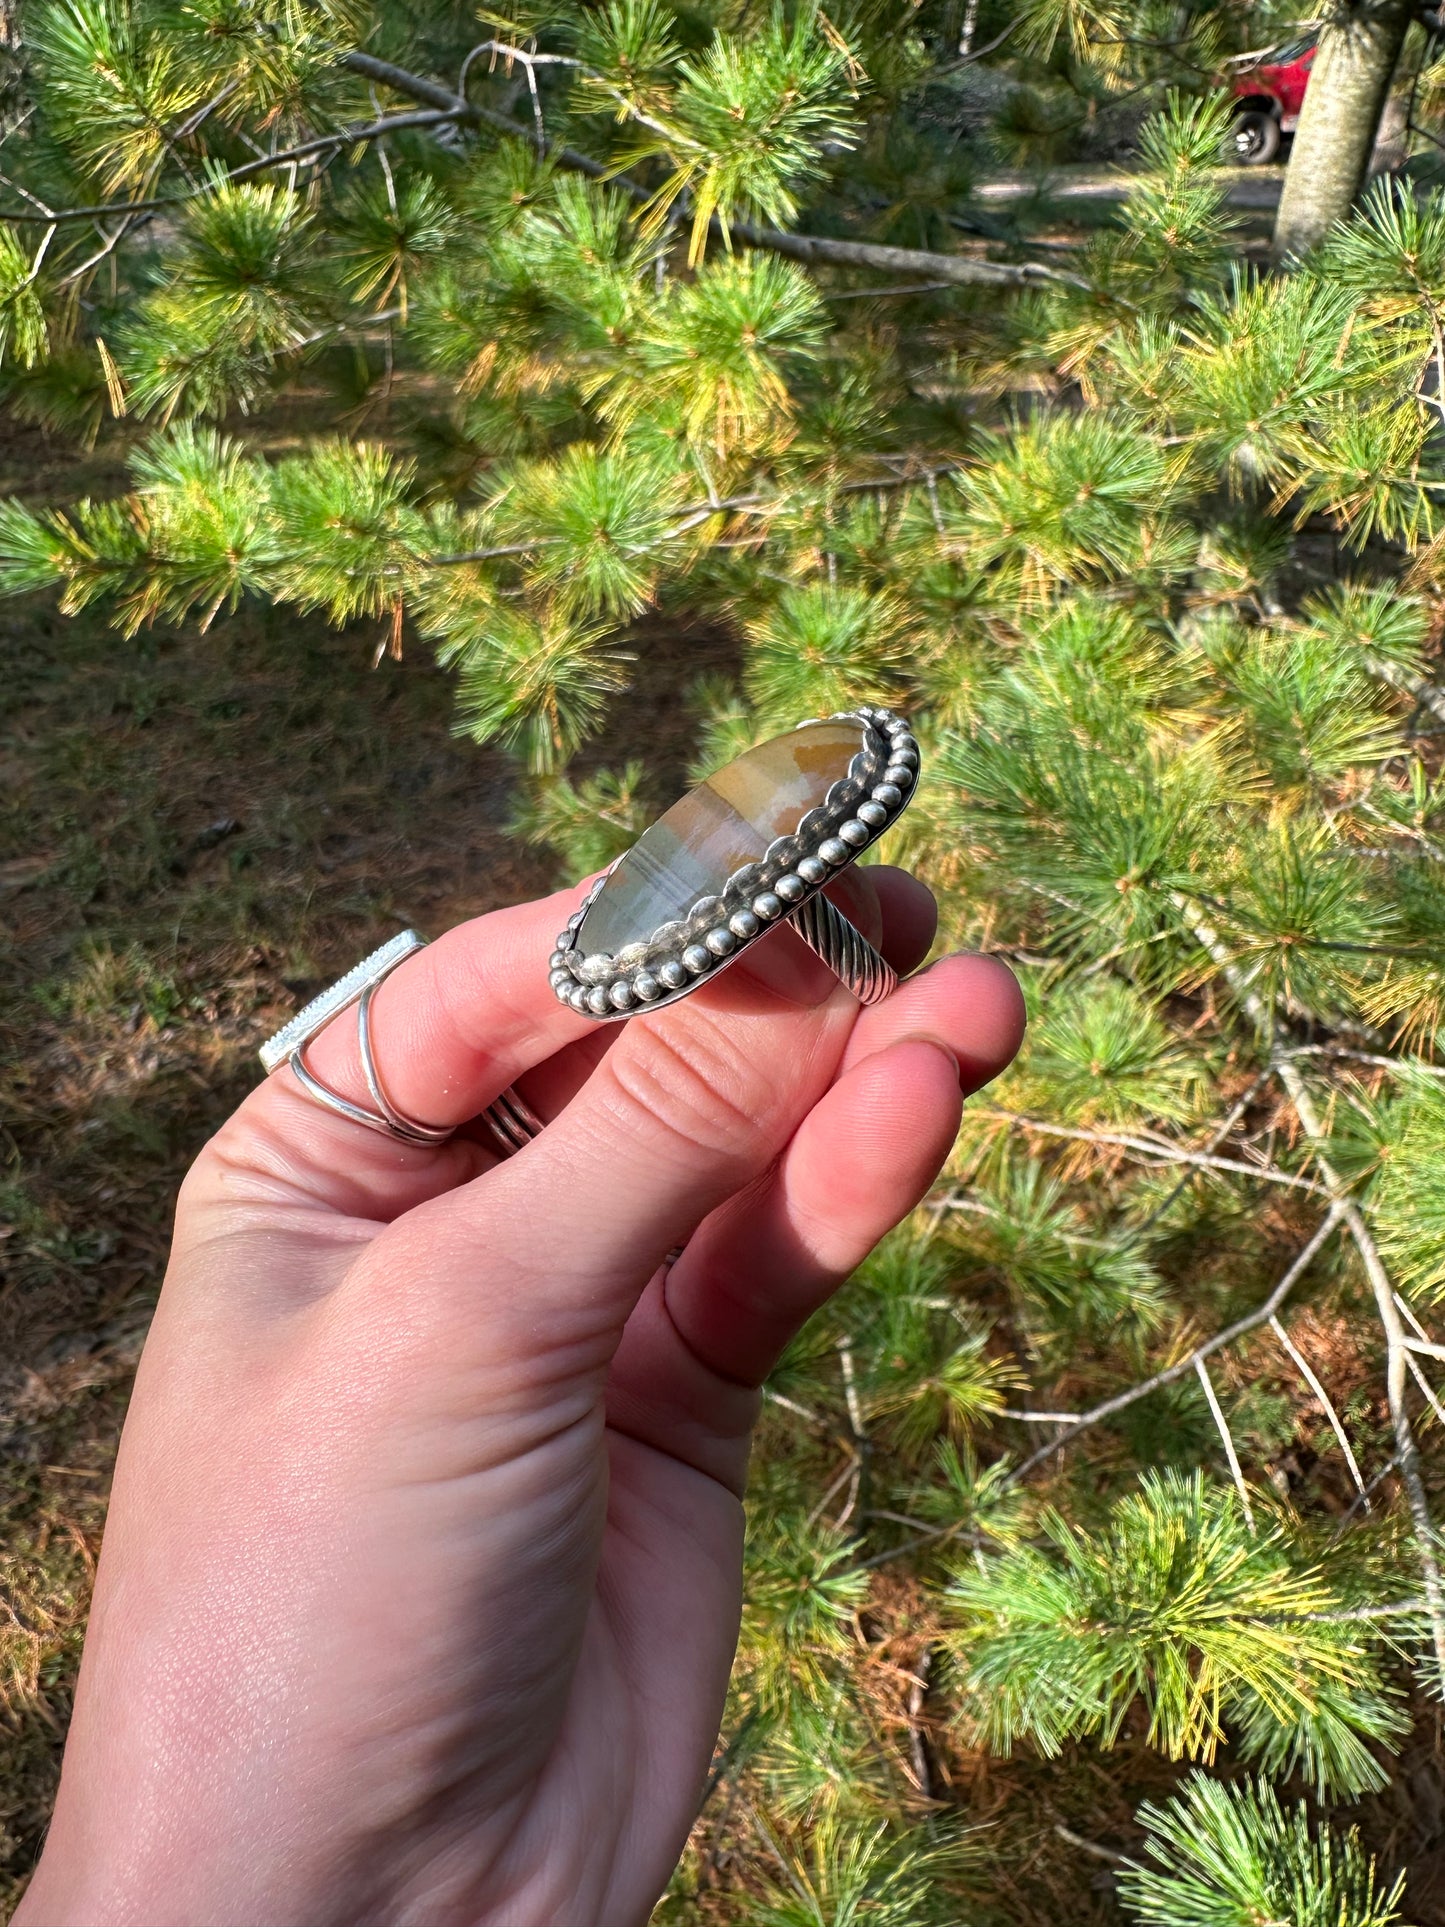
x=527 y=350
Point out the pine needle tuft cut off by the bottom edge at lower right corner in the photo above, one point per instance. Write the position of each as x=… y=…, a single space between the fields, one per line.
x=1230 y=1857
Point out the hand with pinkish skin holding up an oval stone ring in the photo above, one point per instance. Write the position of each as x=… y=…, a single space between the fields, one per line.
x=423 y=1571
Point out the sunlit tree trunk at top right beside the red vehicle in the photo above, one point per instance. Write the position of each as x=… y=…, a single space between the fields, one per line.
x=1340 y=120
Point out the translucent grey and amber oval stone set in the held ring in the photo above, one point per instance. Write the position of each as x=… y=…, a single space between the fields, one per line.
x=716 y=830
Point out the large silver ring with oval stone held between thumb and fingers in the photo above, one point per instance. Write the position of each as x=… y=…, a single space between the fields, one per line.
x=750 y=847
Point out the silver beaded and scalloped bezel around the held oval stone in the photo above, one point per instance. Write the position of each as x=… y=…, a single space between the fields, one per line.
x=691 y=951
